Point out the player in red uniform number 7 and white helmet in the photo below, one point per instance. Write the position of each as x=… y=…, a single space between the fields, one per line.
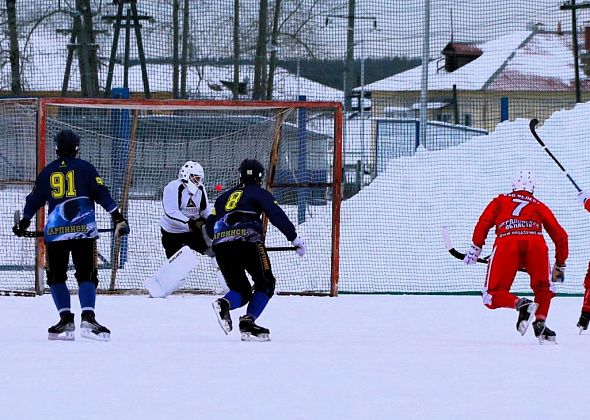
x=519 y=219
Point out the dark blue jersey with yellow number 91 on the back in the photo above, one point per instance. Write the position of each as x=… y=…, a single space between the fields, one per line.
x=70 y=187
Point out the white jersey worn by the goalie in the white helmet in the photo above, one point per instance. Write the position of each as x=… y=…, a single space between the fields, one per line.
x=180 y=206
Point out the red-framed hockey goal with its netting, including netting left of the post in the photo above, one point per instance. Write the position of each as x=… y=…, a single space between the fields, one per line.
x=138 y=146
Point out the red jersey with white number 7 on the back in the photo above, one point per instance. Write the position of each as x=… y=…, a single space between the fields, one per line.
x=519 y=215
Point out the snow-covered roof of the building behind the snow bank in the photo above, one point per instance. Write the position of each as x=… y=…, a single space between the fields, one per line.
x=539 y=61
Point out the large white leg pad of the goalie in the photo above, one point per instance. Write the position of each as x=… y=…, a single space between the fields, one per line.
x=171 y=275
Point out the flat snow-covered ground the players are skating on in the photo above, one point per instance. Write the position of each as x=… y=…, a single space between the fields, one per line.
x=351 y=357
